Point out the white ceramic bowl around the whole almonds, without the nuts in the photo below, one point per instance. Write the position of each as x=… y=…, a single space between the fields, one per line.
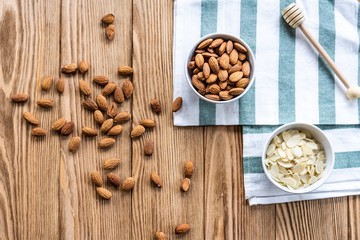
x=224 y=36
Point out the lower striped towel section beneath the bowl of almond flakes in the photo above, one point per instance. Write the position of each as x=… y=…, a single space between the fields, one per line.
x=343 y=181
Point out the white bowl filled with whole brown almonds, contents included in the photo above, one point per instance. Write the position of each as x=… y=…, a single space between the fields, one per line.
x=220 y=68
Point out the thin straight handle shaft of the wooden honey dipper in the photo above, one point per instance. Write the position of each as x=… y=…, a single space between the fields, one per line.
x=326 y=56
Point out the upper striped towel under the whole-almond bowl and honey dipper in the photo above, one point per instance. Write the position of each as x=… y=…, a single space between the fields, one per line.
x=292 y=83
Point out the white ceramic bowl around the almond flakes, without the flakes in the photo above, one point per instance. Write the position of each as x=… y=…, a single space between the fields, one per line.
x=320 y=136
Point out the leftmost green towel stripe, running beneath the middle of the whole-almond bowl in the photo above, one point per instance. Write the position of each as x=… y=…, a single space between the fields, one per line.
x=207 y=111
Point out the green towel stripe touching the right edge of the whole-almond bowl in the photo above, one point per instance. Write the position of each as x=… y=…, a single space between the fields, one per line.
x=248 y=20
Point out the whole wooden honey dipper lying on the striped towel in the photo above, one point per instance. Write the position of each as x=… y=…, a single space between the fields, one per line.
x=294 y=16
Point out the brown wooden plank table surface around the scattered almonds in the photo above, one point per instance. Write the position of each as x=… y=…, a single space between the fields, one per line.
x=45 y=191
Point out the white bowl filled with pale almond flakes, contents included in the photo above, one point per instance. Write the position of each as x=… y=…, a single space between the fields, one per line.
x=298 y=157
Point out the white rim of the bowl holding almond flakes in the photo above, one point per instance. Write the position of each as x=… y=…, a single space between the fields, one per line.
x=329 y=163
